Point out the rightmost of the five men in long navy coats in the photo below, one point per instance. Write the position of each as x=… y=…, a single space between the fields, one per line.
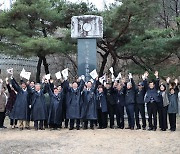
x=89 y=106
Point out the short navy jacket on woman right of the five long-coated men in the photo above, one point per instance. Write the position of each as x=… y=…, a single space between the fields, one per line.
x=101 y=102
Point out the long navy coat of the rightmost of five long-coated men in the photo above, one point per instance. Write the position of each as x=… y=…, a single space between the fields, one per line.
x=89 y=106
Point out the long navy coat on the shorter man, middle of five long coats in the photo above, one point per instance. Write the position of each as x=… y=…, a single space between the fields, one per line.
x=55 y=108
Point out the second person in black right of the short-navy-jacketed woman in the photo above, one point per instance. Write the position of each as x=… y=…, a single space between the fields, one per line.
x=120 y=103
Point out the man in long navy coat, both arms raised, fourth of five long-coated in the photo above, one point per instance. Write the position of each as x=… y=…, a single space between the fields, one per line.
x=73 y=102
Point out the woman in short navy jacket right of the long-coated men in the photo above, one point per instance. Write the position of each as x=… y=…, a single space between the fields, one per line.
x=101 y=108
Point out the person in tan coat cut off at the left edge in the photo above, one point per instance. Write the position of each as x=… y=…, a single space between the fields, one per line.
x=3 y=101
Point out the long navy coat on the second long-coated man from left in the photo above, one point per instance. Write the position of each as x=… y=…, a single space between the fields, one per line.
x=38 y=106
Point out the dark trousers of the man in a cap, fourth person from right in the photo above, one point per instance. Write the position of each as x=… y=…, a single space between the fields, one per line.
x=140 y=108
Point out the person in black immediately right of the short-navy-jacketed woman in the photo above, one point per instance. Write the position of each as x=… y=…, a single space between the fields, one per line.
x=111 y=104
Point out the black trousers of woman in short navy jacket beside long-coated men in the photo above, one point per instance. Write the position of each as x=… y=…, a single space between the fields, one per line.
x=102 y=119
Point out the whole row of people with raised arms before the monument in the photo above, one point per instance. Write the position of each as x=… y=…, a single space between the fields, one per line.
x=89 y=104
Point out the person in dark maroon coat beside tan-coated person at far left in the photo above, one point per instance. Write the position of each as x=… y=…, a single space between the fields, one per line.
x=10 y=103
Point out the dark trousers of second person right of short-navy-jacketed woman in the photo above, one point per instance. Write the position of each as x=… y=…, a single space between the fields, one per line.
x=120 y=116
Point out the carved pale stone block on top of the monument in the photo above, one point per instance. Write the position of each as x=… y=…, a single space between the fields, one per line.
x=87 y=26
